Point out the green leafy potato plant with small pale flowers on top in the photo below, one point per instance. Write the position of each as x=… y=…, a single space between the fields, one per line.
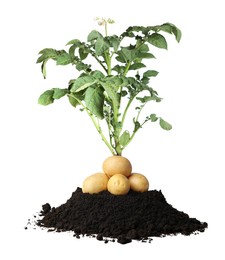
x=121 y=79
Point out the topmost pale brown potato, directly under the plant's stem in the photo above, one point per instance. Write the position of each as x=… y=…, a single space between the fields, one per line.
x=117 y=165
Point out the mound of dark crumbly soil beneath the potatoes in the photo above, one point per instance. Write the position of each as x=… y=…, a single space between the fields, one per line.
x=135 y=216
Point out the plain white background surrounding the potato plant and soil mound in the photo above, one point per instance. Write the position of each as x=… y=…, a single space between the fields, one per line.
x=46 y=152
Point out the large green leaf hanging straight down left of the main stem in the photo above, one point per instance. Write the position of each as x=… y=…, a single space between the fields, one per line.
x=94 y=100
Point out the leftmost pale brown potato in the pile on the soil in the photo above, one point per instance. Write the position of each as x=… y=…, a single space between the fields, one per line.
x=95 y=183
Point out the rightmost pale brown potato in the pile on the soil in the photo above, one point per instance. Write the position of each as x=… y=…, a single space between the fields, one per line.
x=138 y=182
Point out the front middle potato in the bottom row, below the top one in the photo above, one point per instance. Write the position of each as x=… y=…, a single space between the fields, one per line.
x=118 y=184
